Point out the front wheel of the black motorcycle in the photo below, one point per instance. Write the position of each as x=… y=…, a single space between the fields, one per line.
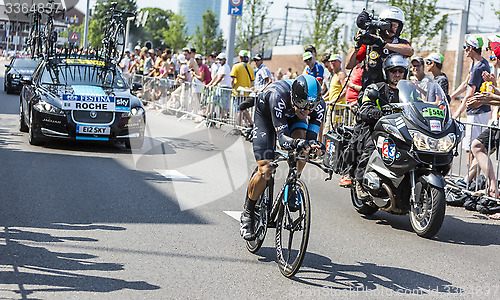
x=428 y=210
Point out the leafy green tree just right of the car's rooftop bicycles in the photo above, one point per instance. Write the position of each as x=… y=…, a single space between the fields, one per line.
x=158 y=20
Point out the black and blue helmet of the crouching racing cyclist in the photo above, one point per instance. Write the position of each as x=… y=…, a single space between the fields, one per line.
x=306 y=92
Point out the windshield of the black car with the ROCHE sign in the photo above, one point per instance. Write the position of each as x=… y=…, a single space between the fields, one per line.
x=63 y=74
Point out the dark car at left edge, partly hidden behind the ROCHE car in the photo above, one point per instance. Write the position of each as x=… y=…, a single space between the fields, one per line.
x=18 y=69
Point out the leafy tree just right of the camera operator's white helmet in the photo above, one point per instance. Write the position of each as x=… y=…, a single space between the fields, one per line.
x=420 y=21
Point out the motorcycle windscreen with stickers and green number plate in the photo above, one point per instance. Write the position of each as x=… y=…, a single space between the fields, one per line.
x=427 y=103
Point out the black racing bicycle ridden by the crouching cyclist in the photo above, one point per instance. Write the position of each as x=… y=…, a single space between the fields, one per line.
x=277 y=214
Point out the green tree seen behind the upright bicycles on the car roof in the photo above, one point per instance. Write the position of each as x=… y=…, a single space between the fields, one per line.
x=98 y=22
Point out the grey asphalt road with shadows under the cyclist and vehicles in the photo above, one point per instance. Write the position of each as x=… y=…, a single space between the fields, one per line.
x=93 y=220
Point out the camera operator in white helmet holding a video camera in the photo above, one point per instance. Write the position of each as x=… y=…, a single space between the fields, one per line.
x=373 y=48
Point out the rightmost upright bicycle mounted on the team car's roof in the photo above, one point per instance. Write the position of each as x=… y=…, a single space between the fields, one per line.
x=114 y=34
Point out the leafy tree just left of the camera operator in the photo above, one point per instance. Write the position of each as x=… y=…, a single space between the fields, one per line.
x=323 y=34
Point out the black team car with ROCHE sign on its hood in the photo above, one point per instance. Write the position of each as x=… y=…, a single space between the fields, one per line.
x=81 y=99
